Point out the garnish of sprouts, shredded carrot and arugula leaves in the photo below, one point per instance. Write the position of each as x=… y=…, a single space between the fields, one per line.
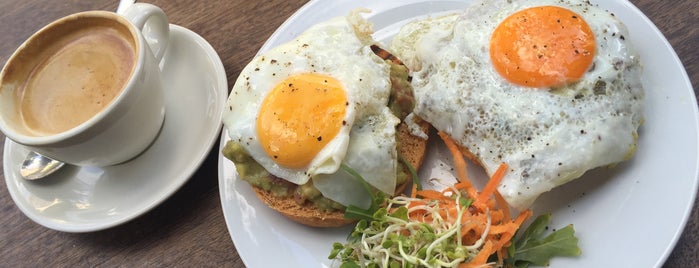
x=458 y=226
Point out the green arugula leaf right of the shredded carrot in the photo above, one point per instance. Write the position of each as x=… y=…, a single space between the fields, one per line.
x=531 y=248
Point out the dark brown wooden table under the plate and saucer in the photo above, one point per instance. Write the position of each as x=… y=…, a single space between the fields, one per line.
x=188 y=229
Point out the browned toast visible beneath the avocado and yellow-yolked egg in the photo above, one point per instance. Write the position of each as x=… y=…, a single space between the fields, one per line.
x=411 y=148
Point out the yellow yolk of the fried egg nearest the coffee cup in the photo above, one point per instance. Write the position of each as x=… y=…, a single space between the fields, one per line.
x=299 y=117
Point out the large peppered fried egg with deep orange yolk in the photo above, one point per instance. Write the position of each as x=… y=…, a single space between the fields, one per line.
x=551 y=88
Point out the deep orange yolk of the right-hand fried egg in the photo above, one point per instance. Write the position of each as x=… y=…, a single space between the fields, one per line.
x=544 y=46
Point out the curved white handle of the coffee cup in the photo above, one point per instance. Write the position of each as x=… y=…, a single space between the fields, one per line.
x=153 y=23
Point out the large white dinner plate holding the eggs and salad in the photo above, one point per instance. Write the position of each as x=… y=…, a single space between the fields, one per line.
x=629 y=216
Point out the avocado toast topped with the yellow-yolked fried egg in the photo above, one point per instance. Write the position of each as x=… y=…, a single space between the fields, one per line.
x=315 y=124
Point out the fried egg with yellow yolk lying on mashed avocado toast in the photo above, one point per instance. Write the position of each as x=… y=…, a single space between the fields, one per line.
x=305 y=107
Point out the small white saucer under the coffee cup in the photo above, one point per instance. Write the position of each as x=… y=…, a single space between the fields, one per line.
x=89 y=199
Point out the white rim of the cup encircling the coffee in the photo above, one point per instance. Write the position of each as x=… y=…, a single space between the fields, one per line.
x=12 y=133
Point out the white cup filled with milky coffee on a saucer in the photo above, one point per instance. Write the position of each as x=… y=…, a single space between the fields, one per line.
x=86 y=89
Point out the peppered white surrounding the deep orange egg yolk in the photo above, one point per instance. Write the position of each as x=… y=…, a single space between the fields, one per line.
x=547 y=137
